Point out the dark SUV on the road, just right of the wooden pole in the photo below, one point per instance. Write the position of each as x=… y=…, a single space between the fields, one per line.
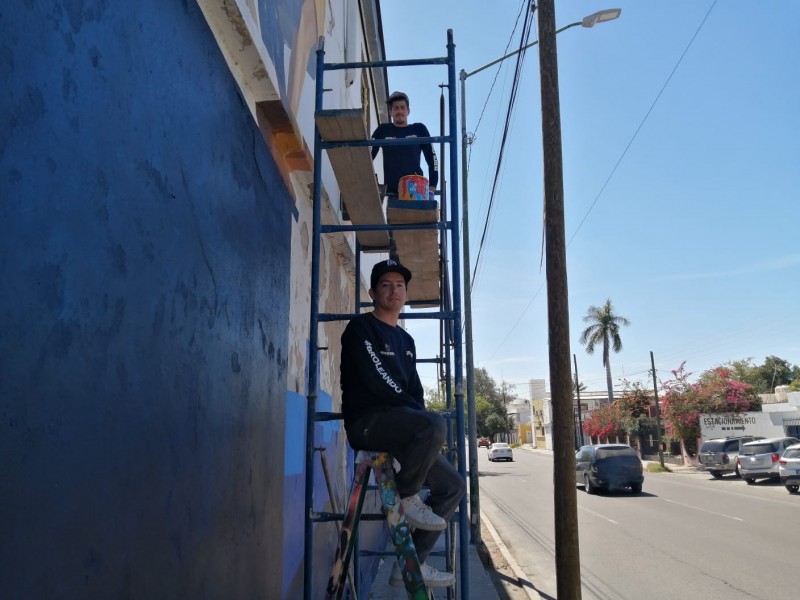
x=608 y=467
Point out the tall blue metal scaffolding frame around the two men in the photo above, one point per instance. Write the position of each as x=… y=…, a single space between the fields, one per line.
x=449 y=313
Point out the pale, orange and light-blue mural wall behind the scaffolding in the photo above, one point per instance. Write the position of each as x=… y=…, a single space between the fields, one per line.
x=284 y=35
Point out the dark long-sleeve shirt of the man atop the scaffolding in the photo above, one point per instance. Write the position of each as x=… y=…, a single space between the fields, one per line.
x=402 y=160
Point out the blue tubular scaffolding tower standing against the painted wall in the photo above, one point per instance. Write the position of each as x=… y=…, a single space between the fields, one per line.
x=448 y=300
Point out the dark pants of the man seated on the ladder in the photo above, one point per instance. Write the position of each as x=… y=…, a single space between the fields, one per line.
x=415 y=439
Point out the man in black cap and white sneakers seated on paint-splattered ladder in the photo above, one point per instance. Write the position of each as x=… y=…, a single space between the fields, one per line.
x=384 y=410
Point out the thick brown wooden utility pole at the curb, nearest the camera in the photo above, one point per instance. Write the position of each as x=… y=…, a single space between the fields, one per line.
x=568 y=570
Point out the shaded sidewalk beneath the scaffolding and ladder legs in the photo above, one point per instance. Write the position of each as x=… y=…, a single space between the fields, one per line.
x=480 y=584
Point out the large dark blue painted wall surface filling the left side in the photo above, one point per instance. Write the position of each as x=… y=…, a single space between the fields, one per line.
x=144 y=260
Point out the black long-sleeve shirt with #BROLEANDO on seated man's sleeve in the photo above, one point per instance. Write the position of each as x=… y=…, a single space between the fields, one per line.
x=378 y=368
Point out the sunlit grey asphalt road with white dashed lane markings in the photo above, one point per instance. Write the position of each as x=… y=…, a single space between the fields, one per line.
x=685 y=536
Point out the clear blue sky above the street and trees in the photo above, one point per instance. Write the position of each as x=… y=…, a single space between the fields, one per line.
x=692 y=231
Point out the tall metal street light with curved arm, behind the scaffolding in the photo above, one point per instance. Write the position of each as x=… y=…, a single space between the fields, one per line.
x=589 y=21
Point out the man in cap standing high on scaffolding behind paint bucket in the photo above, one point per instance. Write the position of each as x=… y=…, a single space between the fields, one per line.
x=402 y=160
